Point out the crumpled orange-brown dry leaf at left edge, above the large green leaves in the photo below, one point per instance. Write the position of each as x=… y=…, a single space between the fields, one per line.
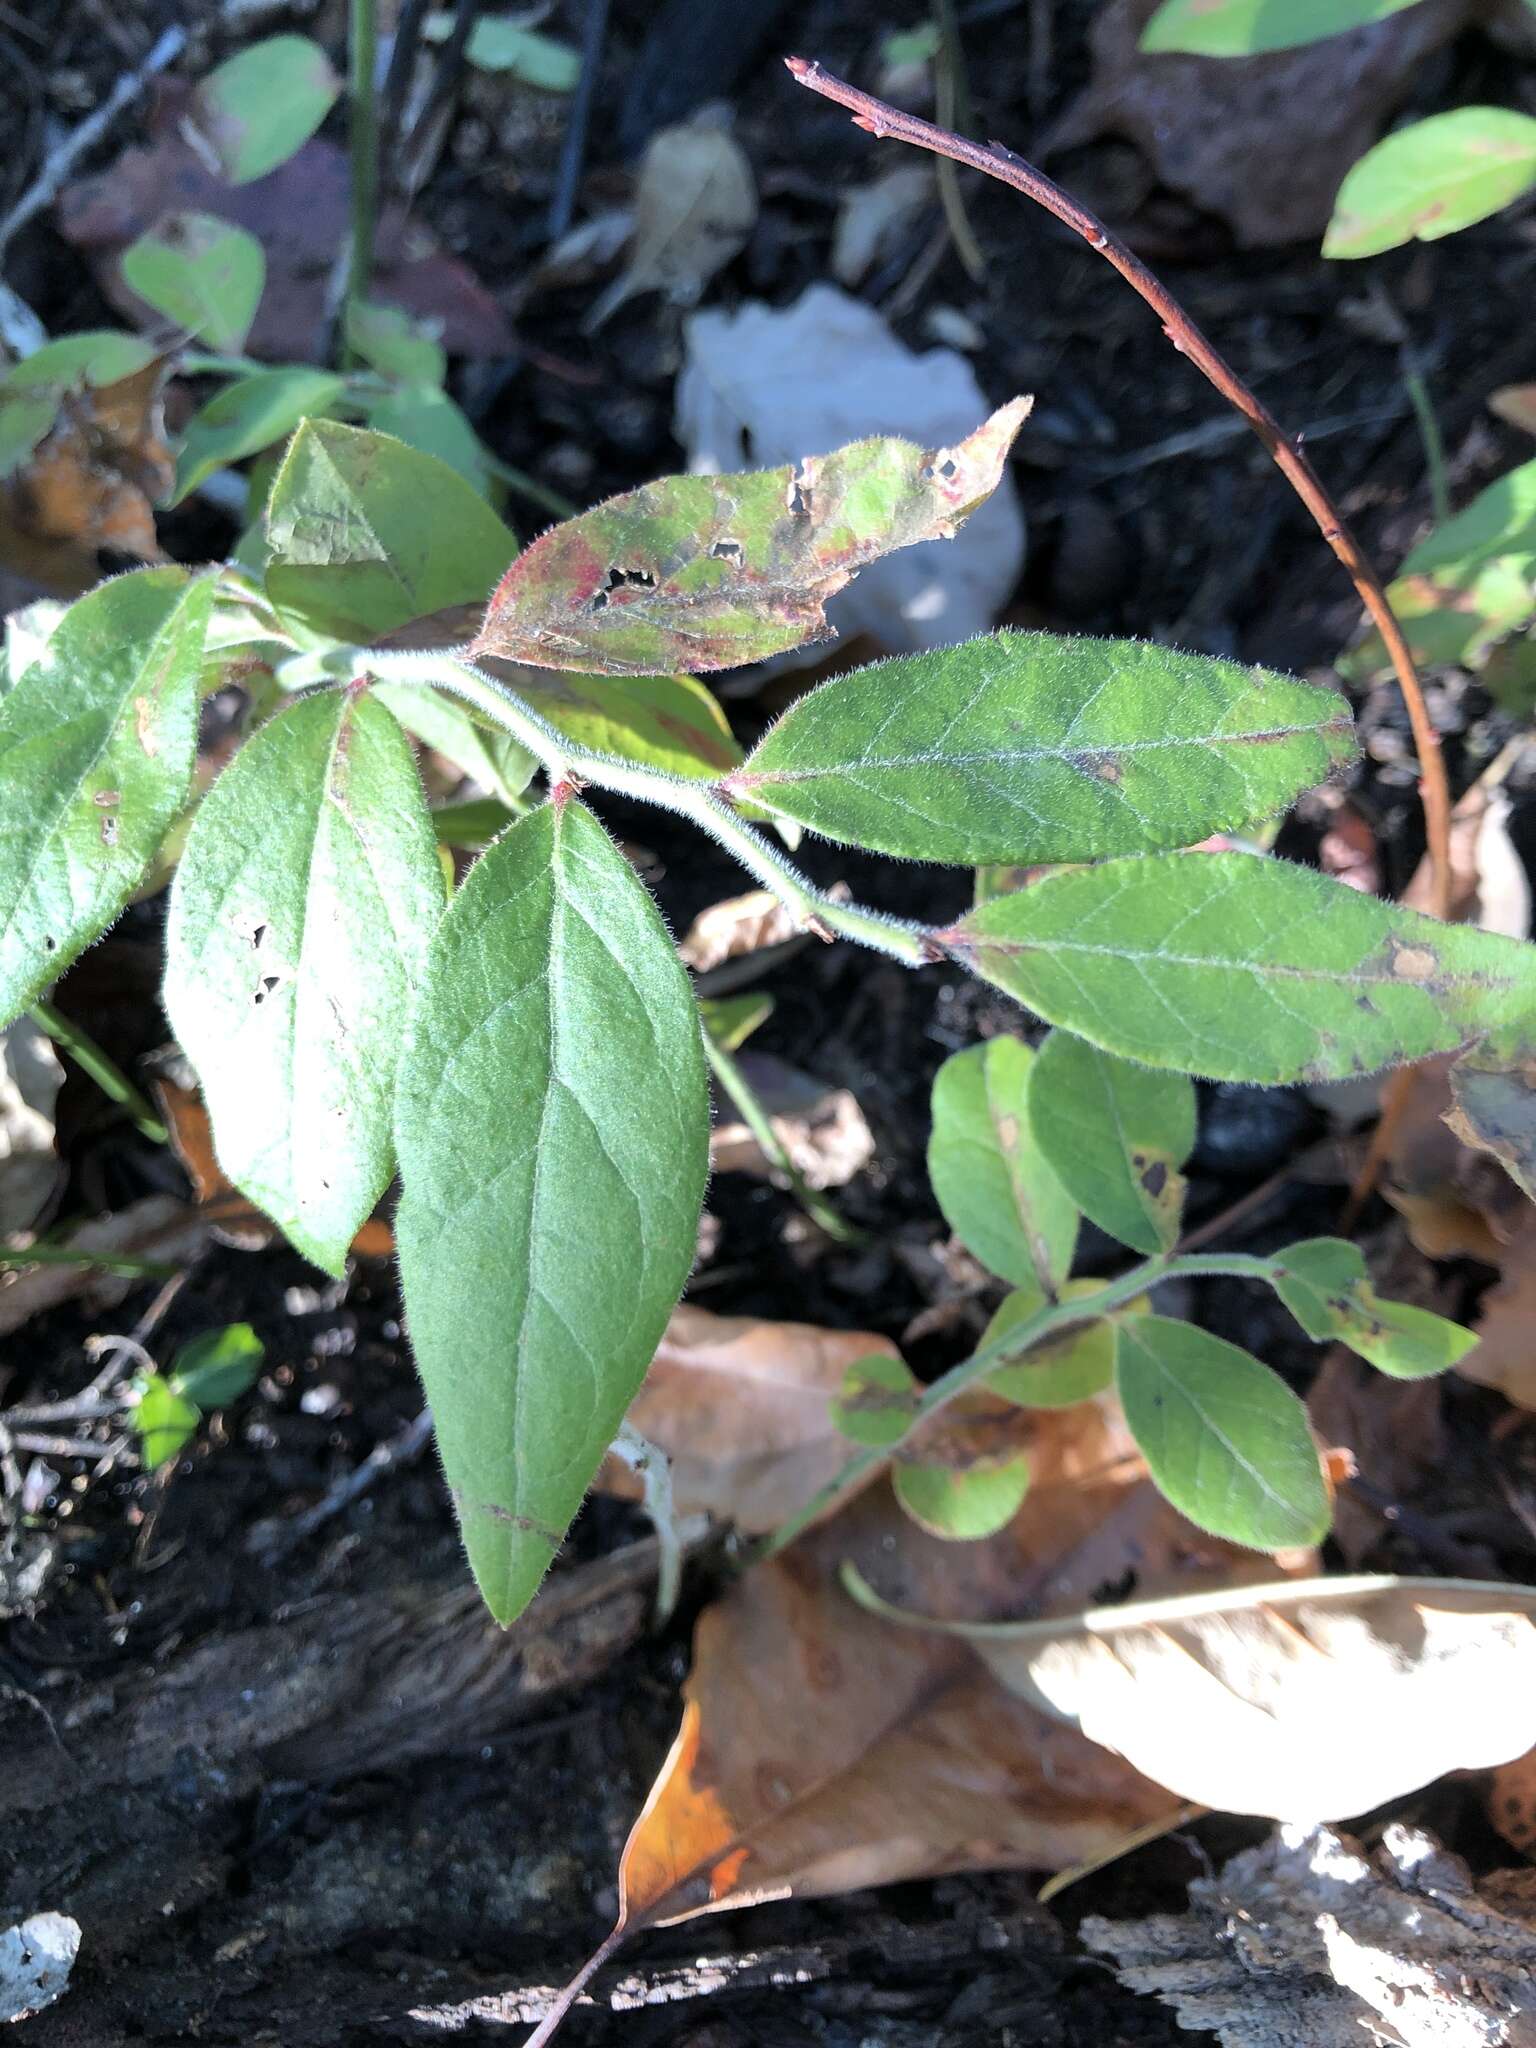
x=89 y=484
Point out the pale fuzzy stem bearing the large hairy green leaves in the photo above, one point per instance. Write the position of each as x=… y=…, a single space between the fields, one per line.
x=706 y=806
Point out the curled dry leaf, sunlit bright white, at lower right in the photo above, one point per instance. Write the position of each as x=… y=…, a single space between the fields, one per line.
x=1304 y=1701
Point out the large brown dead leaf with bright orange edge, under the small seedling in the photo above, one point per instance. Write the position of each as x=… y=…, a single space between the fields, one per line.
x=826 y=1750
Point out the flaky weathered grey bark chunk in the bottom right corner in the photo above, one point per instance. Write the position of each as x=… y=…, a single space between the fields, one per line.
x=1308 y=1943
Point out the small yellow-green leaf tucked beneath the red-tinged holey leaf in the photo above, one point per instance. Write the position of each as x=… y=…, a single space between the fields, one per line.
x=665 y=722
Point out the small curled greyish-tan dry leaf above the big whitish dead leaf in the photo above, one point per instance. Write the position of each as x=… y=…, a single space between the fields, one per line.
x=695 y=208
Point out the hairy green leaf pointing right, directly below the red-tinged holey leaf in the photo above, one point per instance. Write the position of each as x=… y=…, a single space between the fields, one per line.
x=1033 y=749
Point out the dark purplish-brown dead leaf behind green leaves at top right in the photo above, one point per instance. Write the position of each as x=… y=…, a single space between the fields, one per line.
x=1224 y=132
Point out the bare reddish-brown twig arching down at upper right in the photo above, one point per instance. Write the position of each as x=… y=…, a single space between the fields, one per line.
x=1000 y=163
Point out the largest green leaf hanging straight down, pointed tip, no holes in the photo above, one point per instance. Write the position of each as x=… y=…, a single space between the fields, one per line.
x=554 y=1138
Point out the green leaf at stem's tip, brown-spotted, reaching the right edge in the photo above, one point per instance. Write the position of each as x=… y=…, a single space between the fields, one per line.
x=1242 y=968
